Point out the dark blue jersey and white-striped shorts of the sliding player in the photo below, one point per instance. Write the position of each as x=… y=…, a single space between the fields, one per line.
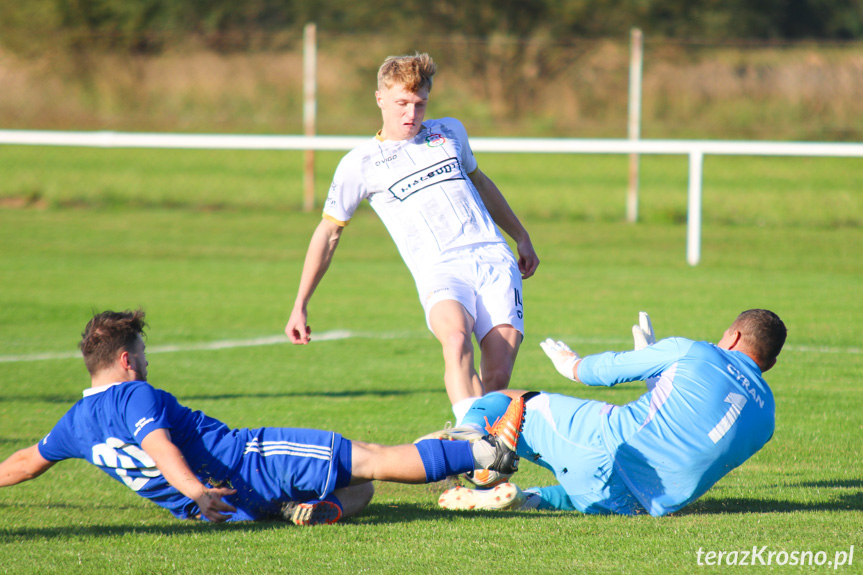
x=266 y=466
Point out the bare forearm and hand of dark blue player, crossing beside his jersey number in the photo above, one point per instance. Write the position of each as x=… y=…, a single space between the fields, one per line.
x=170 y=461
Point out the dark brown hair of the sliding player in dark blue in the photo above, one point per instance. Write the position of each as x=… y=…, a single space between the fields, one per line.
x=109 y=333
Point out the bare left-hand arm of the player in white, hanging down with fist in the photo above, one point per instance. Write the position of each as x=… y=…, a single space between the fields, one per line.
x=318 y=257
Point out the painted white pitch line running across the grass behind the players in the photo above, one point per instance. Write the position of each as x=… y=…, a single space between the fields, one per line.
x=345 y=334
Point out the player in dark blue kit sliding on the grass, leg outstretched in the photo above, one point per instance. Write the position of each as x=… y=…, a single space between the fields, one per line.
x=198 y=467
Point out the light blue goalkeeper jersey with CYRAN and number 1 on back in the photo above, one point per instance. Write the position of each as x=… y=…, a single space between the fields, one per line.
x=709 y=411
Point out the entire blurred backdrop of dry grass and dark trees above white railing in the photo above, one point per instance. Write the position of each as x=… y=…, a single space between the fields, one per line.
x=769 y=69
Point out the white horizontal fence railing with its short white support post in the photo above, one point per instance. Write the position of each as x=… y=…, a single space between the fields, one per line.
x=695 y=149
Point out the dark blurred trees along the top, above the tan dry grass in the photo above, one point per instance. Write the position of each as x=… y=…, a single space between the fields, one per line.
x=149 y=26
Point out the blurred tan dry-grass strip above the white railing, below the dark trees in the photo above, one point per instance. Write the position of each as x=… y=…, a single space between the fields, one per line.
x=572 y=87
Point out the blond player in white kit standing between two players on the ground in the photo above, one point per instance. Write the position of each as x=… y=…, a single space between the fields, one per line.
x=443 y=214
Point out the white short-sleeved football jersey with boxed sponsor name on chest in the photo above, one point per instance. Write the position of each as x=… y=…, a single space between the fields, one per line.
x=419 y=188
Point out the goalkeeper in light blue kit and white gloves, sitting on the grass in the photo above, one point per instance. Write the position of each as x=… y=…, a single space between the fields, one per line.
x=706 y=411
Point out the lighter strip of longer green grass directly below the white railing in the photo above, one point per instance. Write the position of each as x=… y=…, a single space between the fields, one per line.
x=761 y=191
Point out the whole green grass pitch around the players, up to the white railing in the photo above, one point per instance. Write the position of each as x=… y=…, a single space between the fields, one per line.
x=212 y=246
